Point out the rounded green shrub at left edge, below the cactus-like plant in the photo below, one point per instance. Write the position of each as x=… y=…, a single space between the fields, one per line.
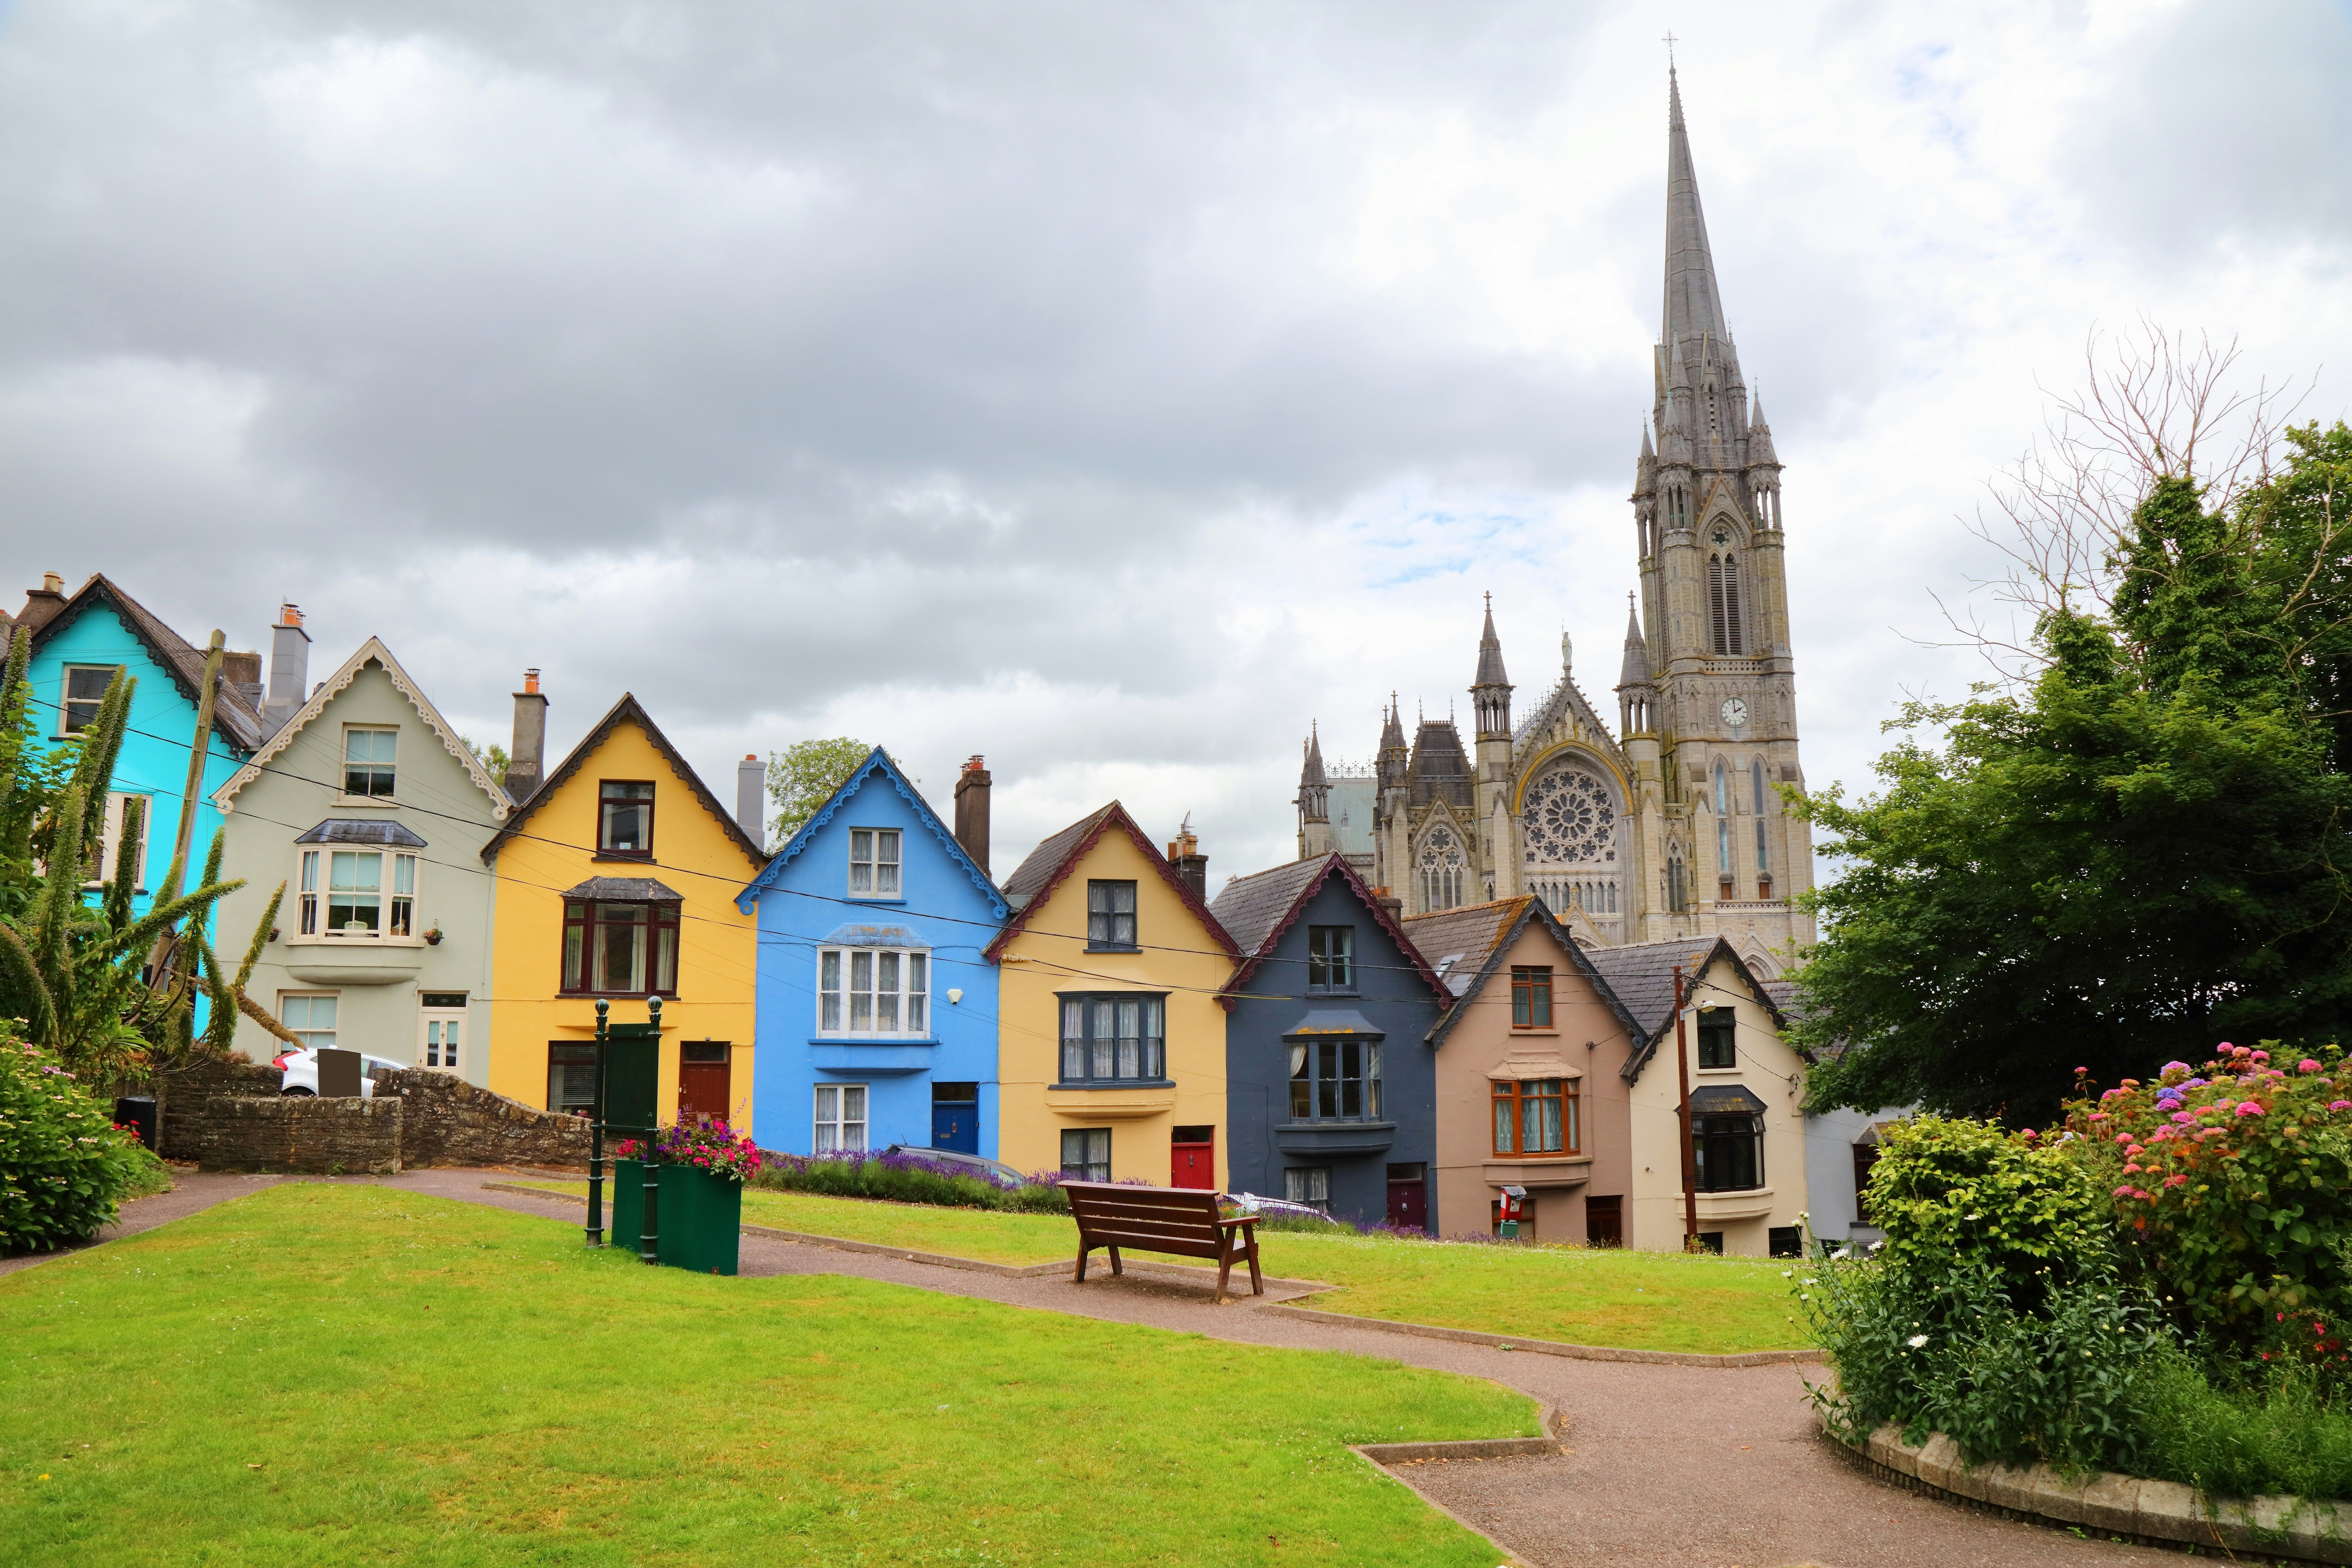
x=62 y=1160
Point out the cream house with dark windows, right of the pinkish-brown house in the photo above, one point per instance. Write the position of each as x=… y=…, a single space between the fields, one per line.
x=1746 y=1099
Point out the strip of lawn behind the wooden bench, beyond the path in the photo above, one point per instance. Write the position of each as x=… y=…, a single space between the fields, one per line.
x=1584 y=1296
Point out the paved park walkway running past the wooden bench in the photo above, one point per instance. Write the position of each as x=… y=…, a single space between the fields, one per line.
x=1666 y=1468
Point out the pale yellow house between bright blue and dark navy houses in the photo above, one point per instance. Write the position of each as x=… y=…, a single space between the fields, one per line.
x=1111 y=1038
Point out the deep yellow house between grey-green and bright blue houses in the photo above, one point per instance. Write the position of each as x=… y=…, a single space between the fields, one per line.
x=615 y=880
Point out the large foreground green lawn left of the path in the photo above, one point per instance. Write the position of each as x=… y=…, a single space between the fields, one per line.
x=347 y=1374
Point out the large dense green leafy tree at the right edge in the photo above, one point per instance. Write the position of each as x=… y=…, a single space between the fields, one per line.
x=2134 y=857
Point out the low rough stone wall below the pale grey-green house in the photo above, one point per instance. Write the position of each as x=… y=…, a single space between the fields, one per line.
x=229 y=1113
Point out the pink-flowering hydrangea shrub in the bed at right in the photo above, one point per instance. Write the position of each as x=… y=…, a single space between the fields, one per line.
x=2233 y=1195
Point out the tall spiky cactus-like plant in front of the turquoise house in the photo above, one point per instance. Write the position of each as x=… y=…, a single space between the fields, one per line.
x=102 y=986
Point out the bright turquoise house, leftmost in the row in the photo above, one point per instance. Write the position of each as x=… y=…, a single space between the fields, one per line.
x=79 y=645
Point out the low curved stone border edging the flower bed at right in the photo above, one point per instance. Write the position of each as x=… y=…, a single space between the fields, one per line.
x=2163 y=1513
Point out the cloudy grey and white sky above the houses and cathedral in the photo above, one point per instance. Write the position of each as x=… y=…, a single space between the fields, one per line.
x=1109 y=389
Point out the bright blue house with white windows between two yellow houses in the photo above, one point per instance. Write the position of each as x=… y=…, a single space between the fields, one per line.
x=878 y=1014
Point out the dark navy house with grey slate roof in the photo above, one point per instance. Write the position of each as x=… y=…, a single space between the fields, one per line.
x=1332 y=1094
